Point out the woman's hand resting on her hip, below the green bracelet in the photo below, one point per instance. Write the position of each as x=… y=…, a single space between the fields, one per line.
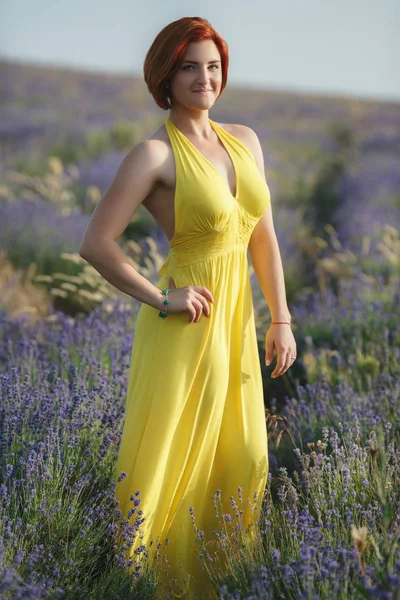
x=191 y=299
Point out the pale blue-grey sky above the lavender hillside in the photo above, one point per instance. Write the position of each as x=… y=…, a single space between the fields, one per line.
x=345 y=47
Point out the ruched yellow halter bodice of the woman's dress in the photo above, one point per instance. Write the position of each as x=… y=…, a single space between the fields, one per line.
x=209 y=221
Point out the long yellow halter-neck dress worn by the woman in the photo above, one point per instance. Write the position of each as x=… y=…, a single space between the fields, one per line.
x=194 y=419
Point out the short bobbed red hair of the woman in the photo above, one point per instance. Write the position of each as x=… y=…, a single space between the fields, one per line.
x=168 y=49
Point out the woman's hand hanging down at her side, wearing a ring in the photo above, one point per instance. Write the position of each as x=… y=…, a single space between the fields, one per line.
x=280 y=337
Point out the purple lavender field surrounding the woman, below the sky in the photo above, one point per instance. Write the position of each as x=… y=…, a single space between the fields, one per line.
x=330 y=516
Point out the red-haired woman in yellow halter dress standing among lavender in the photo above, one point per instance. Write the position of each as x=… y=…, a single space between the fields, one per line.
x=195 y=420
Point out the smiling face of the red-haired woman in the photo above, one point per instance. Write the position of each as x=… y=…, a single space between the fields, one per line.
x=200 y=69
